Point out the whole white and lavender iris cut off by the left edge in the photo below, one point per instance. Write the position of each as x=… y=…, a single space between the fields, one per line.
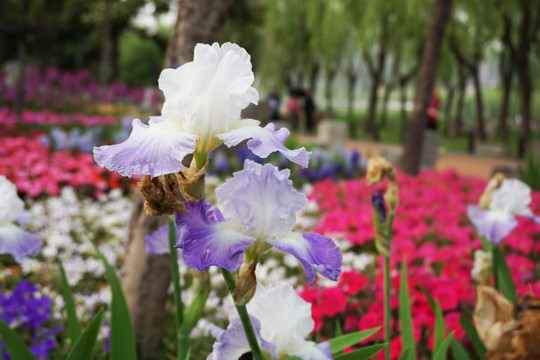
x=14 y=240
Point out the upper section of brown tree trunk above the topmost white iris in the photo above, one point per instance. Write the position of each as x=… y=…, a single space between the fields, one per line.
x=197 y=21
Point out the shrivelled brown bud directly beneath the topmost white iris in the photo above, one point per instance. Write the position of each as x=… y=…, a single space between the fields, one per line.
x=161 y=194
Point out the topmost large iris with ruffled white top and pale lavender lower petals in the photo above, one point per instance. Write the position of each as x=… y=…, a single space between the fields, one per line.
x=203 y=101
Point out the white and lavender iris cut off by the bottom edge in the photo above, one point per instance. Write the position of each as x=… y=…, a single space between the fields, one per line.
x=282 y=320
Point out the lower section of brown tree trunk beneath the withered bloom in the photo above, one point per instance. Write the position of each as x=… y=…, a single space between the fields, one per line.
x=145 y=280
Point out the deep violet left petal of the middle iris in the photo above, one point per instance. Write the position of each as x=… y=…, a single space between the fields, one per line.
x=207 y=239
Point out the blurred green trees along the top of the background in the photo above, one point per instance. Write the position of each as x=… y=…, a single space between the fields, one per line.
x=299 y=44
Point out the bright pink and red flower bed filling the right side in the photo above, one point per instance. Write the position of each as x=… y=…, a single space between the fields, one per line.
x=432 y=234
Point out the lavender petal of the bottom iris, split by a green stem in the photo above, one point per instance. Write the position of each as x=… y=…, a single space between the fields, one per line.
x=232 y=343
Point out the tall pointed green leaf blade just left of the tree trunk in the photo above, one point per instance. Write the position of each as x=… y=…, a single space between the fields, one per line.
x=122 y=338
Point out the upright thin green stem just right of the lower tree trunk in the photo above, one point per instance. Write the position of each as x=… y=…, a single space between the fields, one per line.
x=181 y=340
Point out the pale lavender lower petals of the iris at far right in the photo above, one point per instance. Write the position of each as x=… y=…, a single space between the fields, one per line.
x=491 y=224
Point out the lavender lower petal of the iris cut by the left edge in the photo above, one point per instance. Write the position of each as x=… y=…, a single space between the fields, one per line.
x=18 y=243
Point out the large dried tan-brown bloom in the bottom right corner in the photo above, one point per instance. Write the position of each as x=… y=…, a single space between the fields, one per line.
x=509 y=332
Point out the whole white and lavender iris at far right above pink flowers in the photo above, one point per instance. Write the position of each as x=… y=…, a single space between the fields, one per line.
x=512 y=198
